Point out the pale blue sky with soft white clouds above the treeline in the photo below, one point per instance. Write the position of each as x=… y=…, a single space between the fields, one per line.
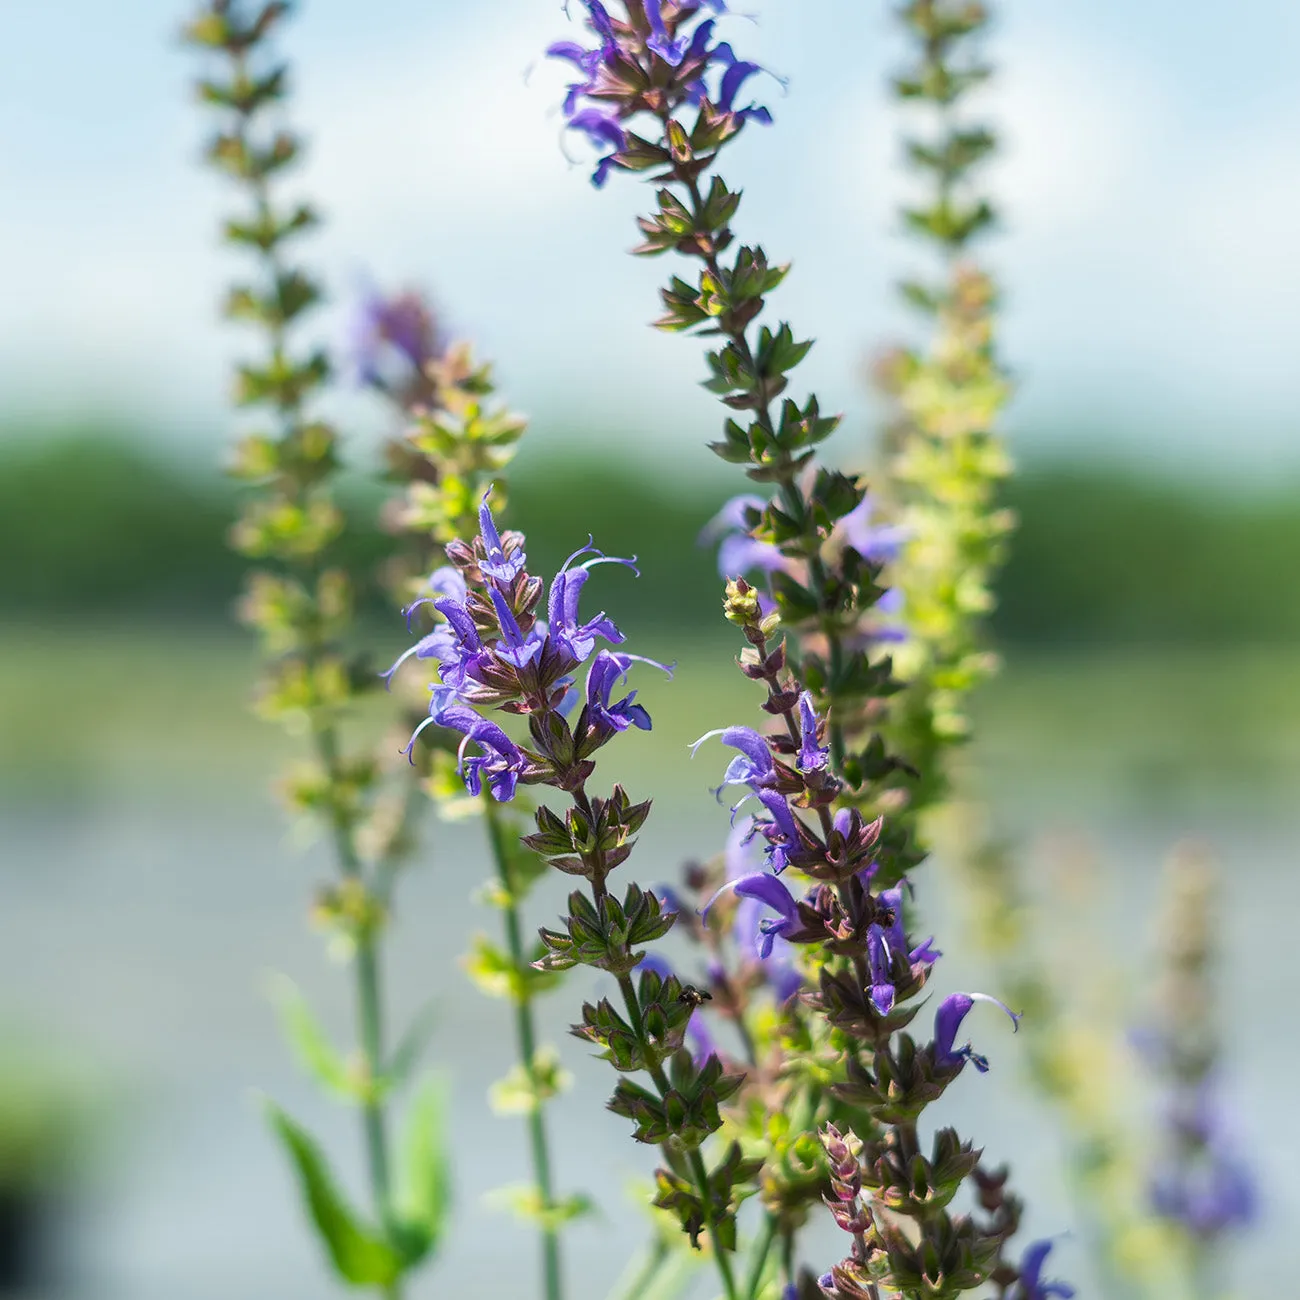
x=1151 y=190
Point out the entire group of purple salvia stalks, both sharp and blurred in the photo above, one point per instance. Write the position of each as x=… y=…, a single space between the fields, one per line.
x=783 y=1072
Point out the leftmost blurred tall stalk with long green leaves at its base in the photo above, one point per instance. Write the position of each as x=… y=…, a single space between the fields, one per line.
x=302 y=605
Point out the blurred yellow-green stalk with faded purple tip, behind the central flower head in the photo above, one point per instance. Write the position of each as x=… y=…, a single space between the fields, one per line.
x=456 y=443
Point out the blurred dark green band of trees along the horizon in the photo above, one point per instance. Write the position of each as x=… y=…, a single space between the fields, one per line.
x=1103 y=556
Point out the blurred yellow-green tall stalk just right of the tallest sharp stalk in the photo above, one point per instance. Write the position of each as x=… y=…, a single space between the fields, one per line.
x=946 y=460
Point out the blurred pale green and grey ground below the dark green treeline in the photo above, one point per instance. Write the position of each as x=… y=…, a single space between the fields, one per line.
x=150 y=885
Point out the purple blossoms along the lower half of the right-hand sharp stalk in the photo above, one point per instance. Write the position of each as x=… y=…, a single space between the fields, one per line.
x=785 y=774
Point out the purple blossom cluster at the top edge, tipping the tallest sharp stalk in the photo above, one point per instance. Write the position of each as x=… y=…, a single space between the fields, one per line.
x=656 y=59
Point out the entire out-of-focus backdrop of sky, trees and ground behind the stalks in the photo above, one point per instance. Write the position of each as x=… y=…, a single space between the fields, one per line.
x=1150 y=614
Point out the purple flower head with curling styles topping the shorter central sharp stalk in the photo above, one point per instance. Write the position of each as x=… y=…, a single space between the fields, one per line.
x=495 y=652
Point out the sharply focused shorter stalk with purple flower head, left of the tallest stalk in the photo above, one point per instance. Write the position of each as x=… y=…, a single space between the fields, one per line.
x=496 y=655
